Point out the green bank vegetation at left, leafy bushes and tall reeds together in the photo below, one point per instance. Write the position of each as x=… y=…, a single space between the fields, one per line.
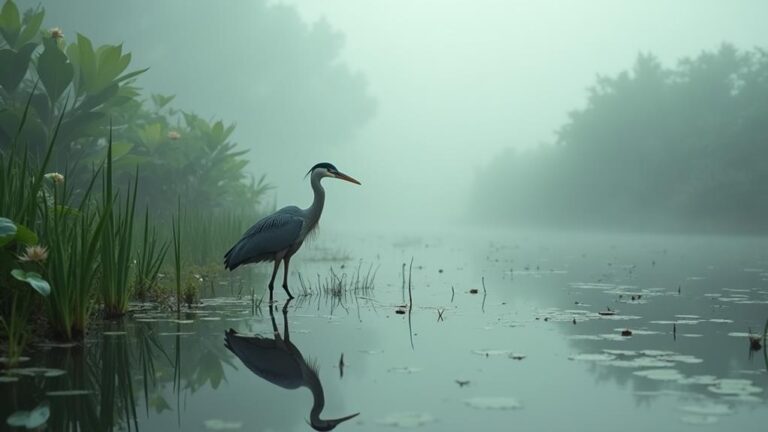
x=91 y=176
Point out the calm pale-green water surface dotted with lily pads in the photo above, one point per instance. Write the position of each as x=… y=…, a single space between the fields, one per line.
x=530 y=351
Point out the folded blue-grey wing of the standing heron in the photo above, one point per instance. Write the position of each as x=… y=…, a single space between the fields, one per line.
x=271 y=234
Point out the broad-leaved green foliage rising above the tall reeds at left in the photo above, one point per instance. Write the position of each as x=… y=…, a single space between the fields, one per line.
x=93 y=87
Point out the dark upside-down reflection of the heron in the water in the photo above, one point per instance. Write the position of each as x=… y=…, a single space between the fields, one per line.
x=281 y=363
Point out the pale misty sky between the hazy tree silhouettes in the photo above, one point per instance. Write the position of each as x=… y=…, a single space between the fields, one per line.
x=457 y=81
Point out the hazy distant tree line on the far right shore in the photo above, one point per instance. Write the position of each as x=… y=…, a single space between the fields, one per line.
x=657 y=148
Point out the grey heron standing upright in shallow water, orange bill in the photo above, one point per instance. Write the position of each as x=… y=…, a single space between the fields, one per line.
x=280 y=235
